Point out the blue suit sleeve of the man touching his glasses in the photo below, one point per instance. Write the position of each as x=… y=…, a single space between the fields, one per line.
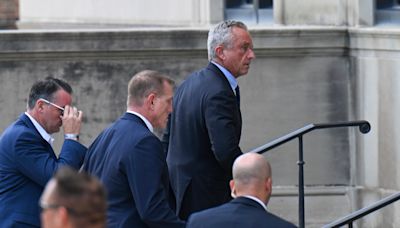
x=36 y=159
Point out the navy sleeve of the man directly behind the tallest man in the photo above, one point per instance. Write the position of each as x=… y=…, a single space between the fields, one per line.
x=146 y=169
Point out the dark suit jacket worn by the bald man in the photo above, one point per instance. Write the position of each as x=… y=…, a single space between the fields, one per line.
x=241 y=213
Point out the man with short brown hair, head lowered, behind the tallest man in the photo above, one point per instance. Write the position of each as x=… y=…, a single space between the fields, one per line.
x=129 y=159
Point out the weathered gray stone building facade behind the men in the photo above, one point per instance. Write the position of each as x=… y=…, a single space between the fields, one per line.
x=317 y=62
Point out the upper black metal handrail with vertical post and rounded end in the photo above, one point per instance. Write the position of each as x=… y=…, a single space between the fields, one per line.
x=364 y=128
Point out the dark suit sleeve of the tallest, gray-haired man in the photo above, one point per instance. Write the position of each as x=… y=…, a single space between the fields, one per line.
x=221 y=119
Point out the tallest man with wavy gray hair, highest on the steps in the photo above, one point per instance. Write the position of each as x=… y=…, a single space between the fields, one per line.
x=203 y=134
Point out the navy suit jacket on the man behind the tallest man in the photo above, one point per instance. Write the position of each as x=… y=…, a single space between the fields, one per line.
x=130 y=161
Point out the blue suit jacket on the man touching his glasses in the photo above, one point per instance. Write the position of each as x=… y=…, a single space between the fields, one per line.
x=27 y=162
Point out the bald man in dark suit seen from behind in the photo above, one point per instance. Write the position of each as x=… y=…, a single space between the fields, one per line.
x=251 y=189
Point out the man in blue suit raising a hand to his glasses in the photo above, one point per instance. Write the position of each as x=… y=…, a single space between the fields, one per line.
x=27 y=159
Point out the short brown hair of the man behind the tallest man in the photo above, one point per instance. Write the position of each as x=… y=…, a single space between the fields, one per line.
x=144 y=83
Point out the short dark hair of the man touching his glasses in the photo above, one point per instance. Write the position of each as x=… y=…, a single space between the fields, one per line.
x=46 y=89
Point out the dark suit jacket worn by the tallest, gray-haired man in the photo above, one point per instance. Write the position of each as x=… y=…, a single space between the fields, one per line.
x=202 y=138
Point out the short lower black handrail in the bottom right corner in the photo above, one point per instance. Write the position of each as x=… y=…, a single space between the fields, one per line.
x=349 y=219
